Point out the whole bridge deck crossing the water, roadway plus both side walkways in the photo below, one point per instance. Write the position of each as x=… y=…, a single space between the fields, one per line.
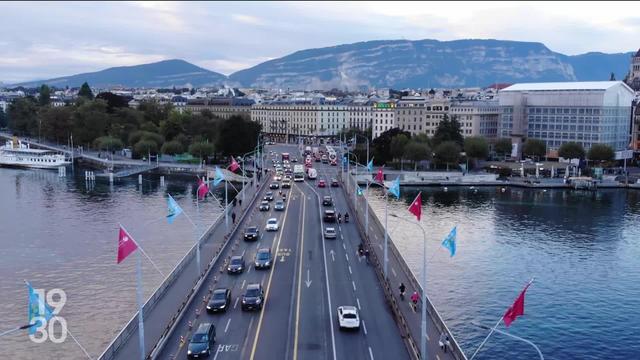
x=310 y=277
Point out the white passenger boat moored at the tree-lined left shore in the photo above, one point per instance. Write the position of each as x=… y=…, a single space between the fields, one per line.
x=17 y=154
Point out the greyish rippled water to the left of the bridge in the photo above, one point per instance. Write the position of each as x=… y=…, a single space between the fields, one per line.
x=60 y=233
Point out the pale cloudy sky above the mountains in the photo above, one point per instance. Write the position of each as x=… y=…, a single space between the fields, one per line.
x=44 y=40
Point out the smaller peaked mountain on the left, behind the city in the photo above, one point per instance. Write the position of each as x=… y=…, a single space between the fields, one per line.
x=167 y=73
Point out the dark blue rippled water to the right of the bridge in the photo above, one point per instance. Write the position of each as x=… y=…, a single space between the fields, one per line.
x=582 y=248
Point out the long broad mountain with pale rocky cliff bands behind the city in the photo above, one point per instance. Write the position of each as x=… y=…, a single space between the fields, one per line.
x=429 y=63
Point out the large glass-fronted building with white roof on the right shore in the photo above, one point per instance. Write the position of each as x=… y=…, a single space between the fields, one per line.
x=589 y=113
